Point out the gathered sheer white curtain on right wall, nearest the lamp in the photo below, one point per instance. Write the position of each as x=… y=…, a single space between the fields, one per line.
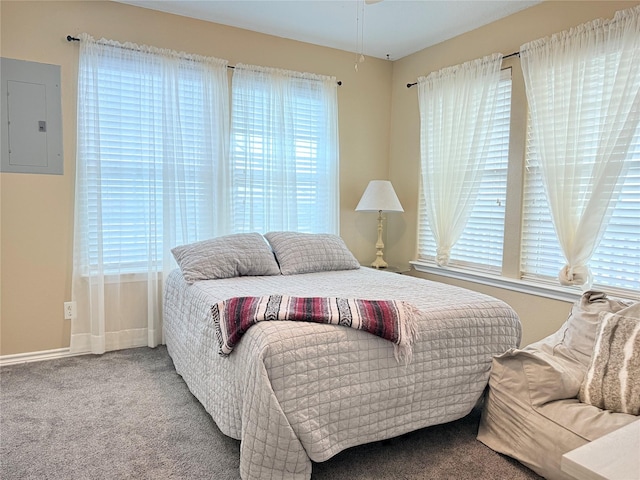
x=457 y=108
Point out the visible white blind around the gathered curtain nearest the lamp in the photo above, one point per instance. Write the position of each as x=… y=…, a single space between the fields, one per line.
x=481 y=243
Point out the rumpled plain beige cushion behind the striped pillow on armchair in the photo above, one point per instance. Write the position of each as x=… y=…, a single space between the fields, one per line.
x=582 y=325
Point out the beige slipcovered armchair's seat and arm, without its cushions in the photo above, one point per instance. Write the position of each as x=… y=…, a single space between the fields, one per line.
x=520 y=417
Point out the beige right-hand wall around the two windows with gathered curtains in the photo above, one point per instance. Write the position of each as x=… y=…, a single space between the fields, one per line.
x=540 y=316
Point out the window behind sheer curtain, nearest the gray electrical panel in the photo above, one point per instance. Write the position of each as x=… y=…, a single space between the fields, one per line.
x=150 y=150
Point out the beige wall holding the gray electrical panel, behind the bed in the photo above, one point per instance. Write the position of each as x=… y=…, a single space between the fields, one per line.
x=37 y=210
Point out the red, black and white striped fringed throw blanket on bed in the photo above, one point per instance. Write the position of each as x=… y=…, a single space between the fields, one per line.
x=389 y=319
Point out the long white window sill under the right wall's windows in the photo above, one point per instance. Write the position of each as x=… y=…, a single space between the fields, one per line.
x=522 y=286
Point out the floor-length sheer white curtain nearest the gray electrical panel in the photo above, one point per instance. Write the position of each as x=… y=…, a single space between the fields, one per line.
x=152 y=138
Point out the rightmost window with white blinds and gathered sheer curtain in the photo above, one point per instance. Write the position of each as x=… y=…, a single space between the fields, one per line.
x=581 y=218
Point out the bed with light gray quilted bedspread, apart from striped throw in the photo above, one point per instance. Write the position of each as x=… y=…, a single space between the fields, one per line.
x=297 y=392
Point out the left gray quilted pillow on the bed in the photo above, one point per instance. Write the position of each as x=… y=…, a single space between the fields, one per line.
x=225 y=257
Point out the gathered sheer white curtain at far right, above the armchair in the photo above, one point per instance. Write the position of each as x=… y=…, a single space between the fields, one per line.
x=583 y=96
